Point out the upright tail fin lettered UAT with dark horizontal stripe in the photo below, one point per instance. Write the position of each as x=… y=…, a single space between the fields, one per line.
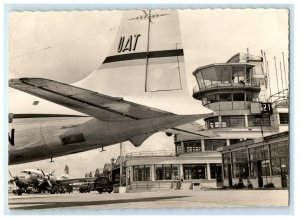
x=146 y=59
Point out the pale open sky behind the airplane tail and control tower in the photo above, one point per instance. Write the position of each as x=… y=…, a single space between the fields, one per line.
x=67 y=46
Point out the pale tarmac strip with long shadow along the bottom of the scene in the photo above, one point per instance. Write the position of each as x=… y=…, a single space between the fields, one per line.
x=151 y=200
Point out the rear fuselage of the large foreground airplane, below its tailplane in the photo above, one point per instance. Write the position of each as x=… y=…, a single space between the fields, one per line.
x=35 y=137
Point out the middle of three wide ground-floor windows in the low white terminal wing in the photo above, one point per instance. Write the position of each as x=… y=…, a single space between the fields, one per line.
x=166 y=172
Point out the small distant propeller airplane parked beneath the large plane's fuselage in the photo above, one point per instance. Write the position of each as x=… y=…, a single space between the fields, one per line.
x=41 y=181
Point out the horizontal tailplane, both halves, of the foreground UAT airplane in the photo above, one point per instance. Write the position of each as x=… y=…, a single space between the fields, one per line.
x=97 y=105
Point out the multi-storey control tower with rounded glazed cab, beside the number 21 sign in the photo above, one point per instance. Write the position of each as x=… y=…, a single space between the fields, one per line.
x=237 y=92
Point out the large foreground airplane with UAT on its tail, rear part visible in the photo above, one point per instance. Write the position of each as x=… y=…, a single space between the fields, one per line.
x=138 y=90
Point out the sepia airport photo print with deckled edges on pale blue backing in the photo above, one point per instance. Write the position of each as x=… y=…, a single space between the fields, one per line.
x=148 y=108
